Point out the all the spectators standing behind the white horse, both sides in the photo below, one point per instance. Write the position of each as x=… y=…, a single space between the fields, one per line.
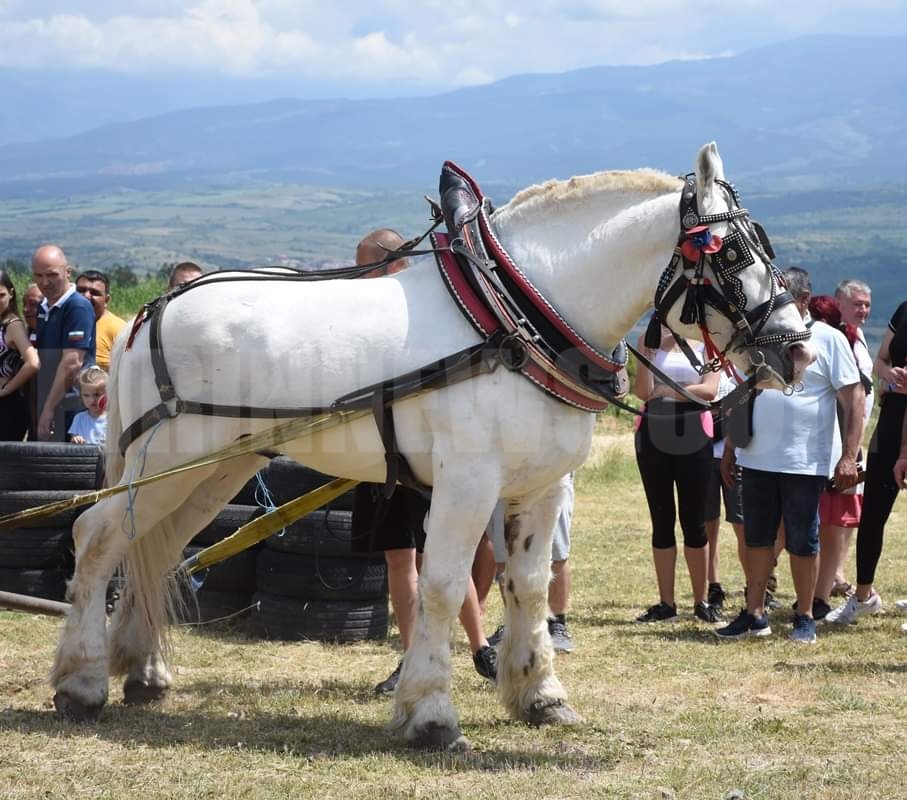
x=790 y=469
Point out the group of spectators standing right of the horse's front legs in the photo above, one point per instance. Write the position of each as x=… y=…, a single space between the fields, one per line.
x=791 y=470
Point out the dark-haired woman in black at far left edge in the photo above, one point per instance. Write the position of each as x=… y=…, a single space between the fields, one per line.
x=18 y=364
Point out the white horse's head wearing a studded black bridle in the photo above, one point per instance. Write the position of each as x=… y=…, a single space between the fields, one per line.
x=722 y=286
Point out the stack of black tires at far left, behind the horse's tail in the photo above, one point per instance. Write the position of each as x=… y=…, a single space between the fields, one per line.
x=36 y=558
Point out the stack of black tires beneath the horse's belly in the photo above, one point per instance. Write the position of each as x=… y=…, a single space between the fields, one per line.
x=312 y=582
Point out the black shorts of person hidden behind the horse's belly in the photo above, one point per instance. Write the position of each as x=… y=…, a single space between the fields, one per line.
x=381 y=524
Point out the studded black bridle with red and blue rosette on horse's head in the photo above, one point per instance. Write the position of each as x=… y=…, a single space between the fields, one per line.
x=685 y=278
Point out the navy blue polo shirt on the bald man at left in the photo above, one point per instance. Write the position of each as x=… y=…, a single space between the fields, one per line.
x=67 y=325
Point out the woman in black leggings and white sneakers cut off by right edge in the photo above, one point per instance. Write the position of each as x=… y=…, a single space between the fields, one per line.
x=881 y=489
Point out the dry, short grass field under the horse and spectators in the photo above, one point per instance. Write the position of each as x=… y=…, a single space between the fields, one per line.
x=670 y=712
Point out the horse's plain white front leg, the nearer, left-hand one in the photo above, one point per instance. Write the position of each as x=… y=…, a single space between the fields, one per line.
x=460 y=509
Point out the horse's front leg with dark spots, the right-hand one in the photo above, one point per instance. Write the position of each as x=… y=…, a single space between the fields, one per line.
x=527 y=684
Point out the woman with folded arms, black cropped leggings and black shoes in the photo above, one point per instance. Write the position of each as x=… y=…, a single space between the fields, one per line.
x=674 y=449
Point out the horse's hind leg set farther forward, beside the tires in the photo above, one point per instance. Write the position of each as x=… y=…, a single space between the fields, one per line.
x=137 y=640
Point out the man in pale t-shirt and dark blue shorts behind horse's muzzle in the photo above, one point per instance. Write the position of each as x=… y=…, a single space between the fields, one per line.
x=796 y=447
